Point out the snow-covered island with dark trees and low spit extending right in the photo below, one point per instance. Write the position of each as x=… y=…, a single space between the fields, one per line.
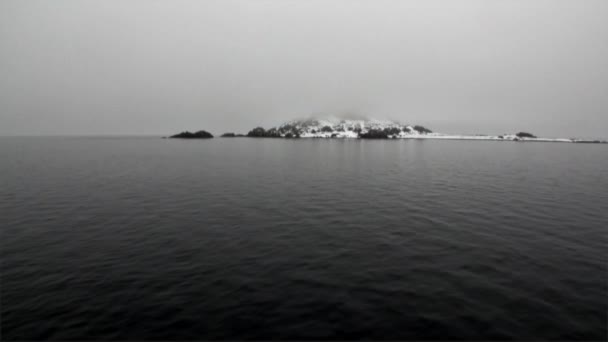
x=382 y=129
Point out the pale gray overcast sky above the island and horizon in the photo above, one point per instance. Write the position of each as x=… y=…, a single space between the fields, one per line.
x=158 y=67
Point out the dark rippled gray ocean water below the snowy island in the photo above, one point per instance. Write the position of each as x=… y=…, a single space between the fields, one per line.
x=148 y=238
